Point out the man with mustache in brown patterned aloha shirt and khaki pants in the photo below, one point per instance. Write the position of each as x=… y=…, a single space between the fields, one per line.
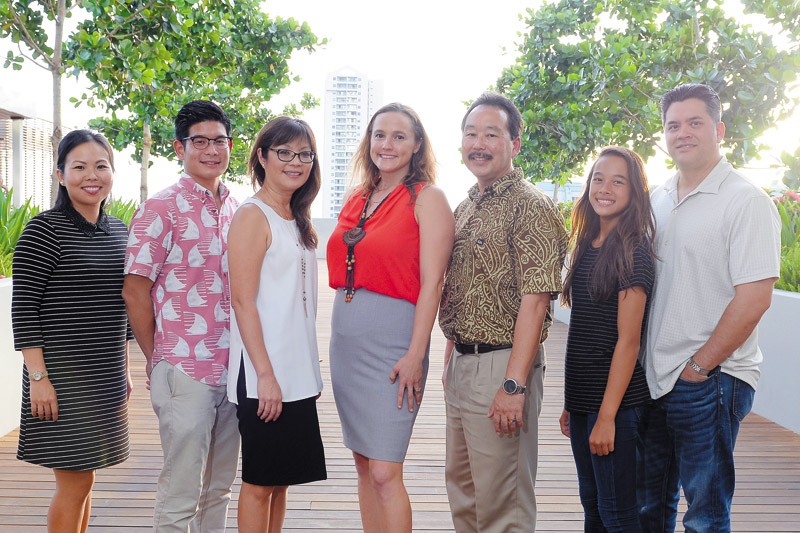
x=504 y=271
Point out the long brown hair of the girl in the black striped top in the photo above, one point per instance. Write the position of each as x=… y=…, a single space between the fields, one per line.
x=635 y=228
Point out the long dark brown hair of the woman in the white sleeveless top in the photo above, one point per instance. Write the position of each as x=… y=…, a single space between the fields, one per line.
x=282 y=130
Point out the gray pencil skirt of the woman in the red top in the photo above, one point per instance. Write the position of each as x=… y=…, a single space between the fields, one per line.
x=368 y=336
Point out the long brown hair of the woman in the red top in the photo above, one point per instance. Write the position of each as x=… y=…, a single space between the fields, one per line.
x=422 y=168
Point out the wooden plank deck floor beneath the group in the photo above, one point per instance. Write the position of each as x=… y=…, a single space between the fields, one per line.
x=768 y=467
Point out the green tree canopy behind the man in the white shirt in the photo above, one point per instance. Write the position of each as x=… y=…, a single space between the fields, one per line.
x=592 y=73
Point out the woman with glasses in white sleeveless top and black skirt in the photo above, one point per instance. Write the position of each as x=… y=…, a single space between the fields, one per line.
x=273 y=374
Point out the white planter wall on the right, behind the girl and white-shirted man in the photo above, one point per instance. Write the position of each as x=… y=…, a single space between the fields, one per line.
x=778 y=395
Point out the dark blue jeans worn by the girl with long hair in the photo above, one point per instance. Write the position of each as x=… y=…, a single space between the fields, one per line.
x=607 y=484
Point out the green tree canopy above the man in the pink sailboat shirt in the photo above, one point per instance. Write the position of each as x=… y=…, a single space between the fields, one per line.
x=146 y=59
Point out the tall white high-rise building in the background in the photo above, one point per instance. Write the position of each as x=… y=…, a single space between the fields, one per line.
x=350 y=101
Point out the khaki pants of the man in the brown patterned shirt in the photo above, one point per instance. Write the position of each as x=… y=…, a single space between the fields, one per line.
x=490 y=478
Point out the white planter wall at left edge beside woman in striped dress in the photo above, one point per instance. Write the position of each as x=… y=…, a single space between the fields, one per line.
x=10 y=365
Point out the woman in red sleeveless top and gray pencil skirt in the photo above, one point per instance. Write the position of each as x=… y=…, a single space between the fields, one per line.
x=386 y=260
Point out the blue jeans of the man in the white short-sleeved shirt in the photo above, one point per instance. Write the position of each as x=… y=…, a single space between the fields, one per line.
x=688 y=437
